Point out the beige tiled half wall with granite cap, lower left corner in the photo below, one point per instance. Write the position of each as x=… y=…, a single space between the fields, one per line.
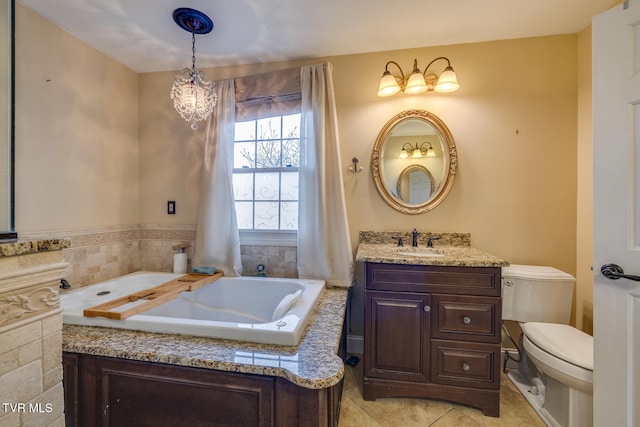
x=31 y=333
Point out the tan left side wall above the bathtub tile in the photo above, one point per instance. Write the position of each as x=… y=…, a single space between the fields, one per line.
x=76 y=132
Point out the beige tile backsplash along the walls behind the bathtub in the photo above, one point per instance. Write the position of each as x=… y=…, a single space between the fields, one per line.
x=101 y=254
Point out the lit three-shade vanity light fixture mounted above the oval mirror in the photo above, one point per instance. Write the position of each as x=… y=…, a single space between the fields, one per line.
x=418 y=82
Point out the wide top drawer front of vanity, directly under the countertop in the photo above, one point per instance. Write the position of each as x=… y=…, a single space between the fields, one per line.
x=434 y=278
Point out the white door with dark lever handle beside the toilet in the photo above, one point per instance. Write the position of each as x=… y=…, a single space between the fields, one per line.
x=616 y=139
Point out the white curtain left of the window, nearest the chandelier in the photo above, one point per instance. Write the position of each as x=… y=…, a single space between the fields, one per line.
x=217 y=239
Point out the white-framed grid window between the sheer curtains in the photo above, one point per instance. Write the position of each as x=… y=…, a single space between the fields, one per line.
x=266 y=157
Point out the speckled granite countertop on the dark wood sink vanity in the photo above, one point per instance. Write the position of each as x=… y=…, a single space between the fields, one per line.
x=458 y=256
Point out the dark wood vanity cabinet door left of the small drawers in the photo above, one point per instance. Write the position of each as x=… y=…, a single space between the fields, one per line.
x=397 y=335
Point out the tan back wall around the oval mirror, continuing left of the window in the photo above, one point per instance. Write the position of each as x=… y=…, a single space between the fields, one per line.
x=514 y=122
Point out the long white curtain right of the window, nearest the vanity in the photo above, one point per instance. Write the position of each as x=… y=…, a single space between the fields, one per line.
x=324 y=244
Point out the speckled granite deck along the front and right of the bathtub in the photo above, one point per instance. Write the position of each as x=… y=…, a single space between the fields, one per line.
x=313 y=364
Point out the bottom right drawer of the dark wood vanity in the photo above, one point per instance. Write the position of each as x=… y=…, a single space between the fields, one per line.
x=465 y=364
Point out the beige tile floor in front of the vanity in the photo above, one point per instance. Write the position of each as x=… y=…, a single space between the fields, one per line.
x=392 y=412
